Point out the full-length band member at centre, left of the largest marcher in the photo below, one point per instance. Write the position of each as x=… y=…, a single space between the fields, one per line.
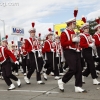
x=50 y=52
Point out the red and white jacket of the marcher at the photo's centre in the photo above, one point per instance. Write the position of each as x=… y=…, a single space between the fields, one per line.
x=49 y=45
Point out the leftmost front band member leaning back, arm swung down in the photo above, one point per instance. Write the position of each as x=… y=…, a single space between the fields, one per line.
x=5 y=62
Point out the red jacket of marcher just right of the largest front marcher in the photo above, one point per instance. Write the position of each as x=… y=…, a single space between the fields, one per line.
x=85 y=40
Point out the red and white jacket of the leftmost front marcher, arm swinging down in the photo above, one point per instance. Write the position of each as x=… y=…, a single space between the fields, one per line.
x=5 y=53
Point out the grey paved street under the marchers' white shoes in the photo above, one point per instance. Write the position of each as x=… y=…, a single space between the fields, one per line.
x=49 y=91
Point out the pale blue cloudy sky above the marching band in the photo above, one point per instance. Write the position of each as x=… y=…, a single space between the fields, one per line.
x=45 y=13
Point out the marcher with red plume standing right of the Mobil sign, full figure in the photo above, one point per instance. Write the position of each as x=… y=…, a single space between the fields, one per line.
x=32 y=47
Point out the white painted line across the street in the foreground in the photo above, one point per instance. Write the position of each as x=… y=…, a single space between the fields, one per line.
x=30 y=91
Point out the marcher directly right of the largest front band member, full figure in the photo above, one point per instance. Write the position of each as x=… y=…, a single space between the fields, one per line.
x=87 y=43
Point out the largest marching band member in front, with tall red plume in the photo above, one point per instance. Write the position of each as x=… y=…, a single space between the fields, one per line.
x=69 y=44
